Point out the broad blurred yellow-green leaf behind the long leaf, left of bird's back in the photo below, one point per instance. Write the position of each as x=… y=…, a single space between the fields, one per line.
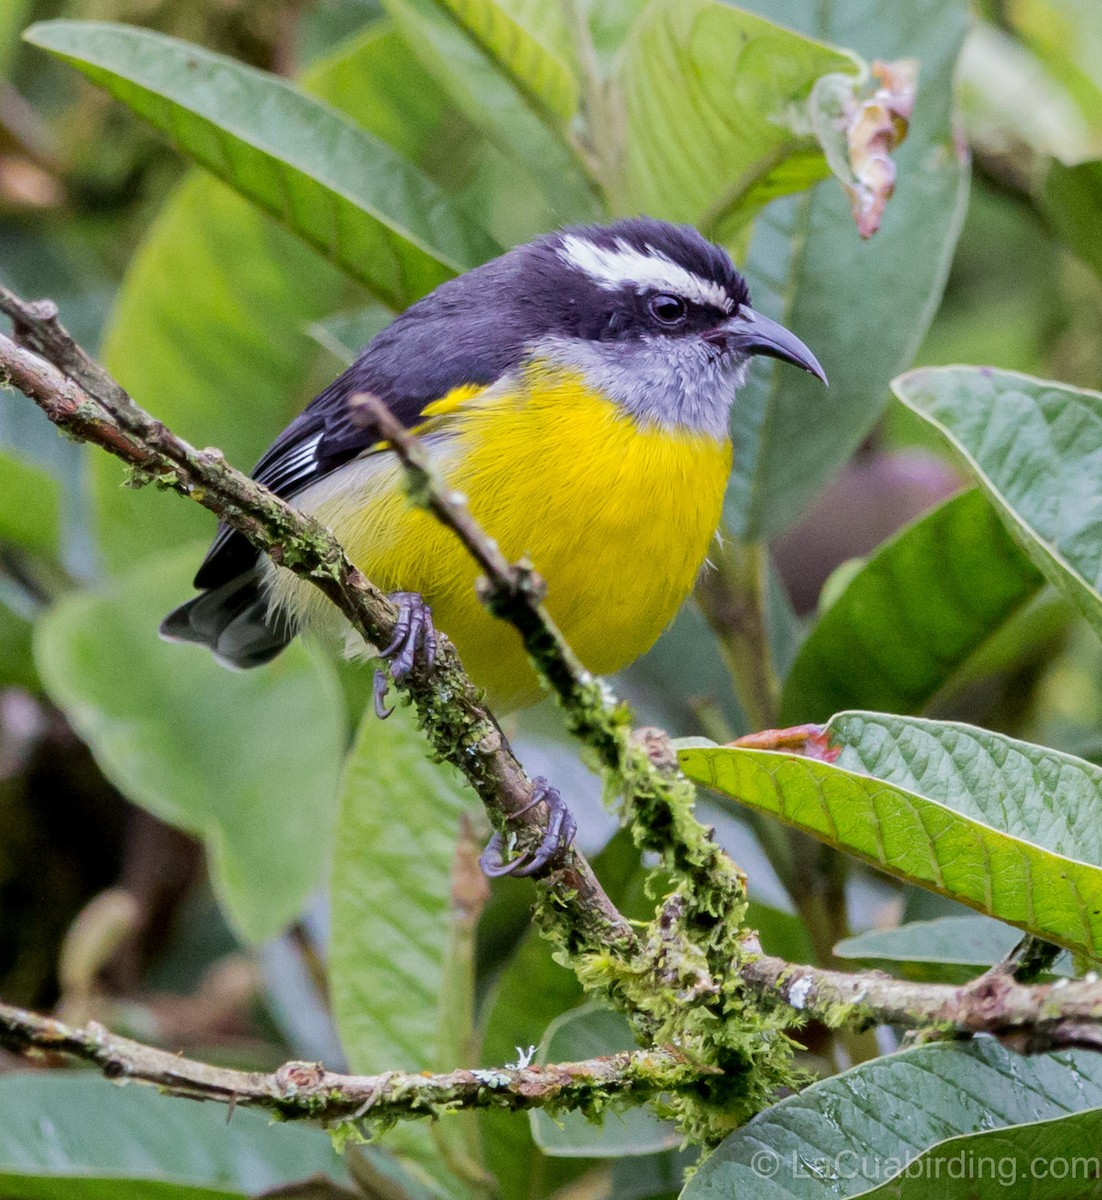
x=209 y=329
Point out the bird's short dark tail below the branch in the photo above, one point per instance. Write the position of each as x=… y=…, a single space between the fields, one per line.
x=235 y=621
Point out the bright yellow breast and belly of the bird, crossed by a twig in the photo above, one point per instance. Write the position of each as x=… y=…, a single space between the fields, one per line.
x=618 y=519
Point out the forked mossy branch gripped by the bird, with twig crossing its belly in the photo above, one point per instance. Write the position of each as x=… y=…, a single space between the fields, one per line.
x=676 y=977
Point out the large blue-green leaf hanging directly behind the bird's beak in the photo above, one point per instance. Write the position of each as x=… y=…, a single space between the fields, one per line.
x=864 y=308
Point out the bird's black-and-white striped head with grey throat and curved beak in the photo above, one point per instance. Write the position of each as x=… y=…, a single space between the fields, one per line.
x=652 y=315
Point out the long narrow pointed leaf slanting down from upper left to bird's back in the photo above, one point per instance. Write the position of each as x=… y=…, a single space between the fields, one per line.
x=333 y=183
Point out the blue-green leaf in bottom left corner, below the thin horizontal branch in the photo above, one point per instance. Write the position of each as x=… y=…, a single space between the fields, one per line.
x=76 y=1137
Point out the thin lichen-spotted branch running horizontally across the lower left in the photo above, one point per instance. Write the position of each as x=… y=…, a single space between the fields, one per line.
x=307 y=1091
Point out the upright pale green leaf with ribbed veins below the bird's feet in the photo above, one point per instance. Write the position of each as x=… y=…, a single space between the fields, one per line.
x=393 y=937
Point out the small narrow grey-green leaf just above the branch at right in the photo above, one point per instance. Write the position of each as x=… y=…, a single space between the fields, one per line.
x=950 y=949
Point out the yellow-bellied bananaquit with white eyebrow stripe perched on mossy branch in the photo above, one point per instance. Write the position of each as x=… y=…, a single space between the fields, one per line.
x=577 y=392
